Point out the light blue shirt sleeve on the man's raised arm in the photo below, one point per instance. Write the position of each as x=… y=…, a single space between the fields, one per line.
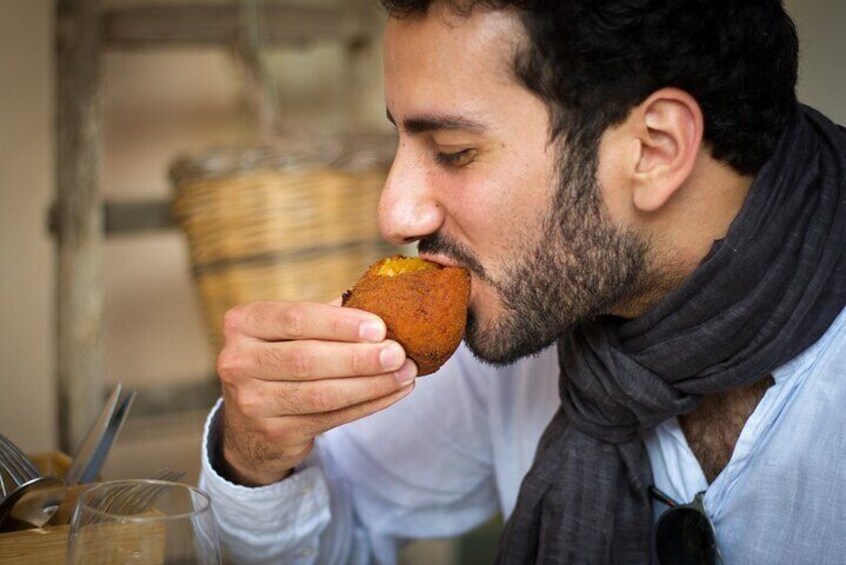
x=420 y=469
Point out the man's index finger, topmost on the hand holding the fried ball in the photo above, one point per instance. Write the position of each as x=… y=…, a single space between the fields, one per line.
x=280 y=321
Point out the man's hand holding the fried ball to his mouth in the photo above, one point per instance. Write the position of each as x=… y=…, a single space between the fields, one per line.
x=293 y=370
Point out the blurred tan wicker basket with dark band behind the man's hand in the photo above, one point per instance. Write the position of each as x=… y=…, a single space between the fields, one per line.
x=271 y=224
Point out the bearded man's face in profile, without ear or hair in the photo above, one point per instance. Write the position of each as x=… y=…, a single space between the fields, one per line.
x=478 y=183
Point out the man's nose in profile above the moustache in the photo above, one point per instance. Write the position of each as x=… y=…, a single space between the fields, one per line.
x=408 y=208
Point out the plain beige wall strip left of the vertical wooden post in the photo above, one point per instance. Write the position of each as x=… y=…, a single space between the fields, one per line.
x=27 y=391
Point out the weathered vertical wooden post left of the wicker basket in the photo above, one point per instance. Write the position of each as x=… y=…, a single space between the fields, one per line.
x=79 y=257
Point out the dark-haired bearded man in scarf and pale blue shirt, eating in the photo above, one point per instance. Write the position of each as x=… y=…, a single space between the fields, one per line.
x=655 y=231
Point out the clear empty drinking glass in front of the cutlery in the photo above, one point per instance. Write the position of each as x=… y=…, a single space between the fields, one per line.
x=143 y=522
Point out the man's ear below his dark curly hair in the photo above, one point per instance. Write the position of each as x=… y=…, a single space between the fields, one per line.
x=669 y=128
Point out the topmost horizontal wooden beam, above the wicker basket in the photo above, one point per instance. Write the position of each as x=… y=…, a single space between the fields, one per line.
x=168 y=25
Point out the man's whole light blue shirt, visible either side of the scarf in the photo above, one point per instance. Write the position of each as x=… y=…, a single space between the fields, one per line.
x=453 y=454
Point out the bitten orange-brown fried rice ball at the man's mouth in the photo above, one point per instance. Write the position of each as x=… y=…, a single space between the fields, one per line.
x=423 y=304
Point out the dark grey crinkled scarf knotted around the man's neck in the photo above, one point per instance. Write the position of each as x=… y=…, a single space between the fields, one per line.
x=765 y=293
